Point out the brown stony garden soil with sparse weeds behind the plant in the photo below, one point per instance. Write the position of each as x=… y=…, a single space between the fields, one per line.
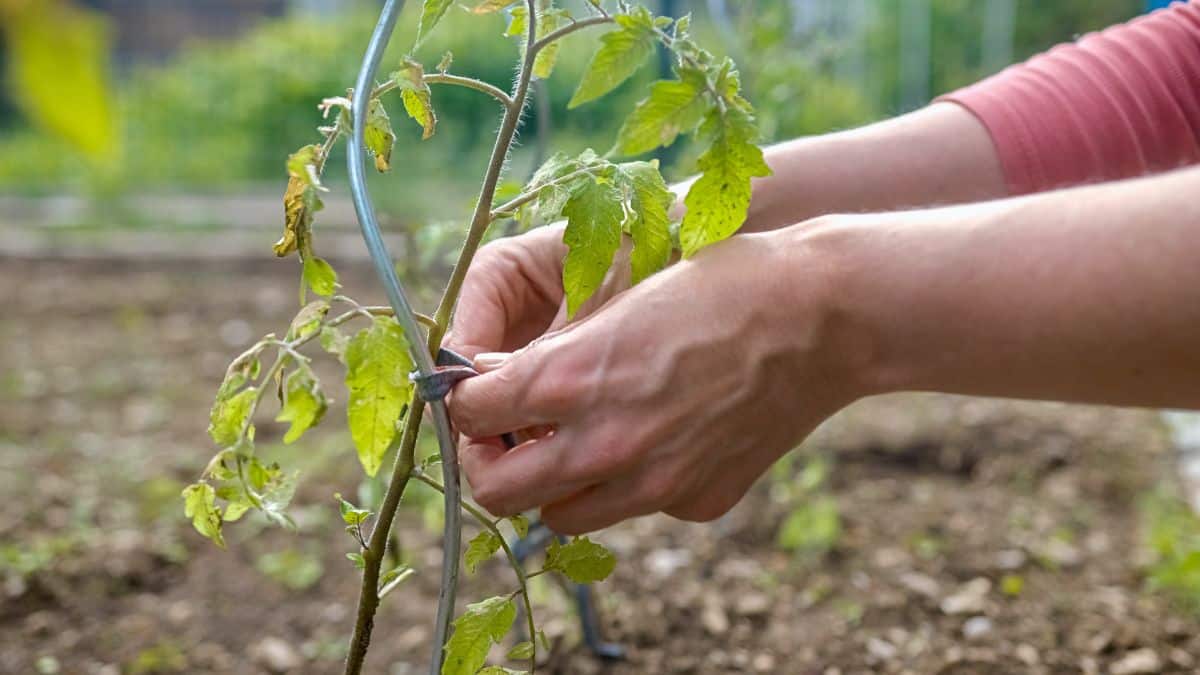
x=976 y=536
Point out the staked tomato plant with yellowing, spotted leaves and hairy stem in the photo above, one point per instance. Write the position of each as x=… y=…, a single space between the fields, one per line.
x=604 y=201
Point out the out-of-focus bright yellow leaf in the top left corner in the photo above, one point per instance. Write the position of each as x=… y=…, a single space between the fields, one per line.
x=58 y=67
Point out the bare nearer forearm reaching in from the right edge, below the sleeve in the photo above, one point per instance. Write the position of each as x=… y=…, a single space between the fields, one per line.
x=1090 y=295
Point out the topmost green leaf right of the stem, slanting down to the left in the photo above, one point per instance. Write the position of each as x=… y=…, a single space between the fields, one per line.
x=621 y=53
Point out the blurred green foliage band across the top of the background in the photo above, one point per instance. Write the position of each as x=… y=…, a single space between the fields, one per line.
x=223 y=115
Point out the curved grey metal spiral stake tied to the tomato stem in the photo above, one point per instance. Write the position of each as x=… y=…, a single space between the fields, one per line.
x=399 y=301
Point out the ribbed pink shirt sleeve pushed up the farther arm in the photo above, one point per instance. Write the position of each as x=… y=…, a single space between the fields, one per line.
x=1114 y=105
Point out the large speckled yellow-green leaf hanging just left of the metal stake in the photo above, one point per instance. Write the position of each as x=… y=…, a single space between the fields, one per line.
x=377 y=367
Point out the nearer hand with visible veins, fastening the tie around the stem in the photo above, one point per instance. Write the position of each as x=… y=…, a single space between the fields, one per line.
x=675 y=397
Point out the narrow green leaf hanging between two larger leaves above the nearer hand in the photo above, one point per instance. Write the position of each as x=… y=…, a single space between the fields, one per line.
x=649 y=222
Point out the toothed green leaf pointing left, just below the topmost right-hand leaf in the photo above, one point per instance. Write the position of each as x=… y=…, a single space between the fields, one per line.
x=674 y=107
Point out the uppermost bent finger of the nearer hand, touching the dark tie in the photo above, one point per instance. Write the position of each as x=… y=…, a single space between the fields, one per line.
x=533 y=387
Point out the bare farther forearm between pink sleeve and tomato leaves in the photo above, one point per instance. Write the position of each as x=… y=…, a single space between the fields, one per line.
x=939 y=156
